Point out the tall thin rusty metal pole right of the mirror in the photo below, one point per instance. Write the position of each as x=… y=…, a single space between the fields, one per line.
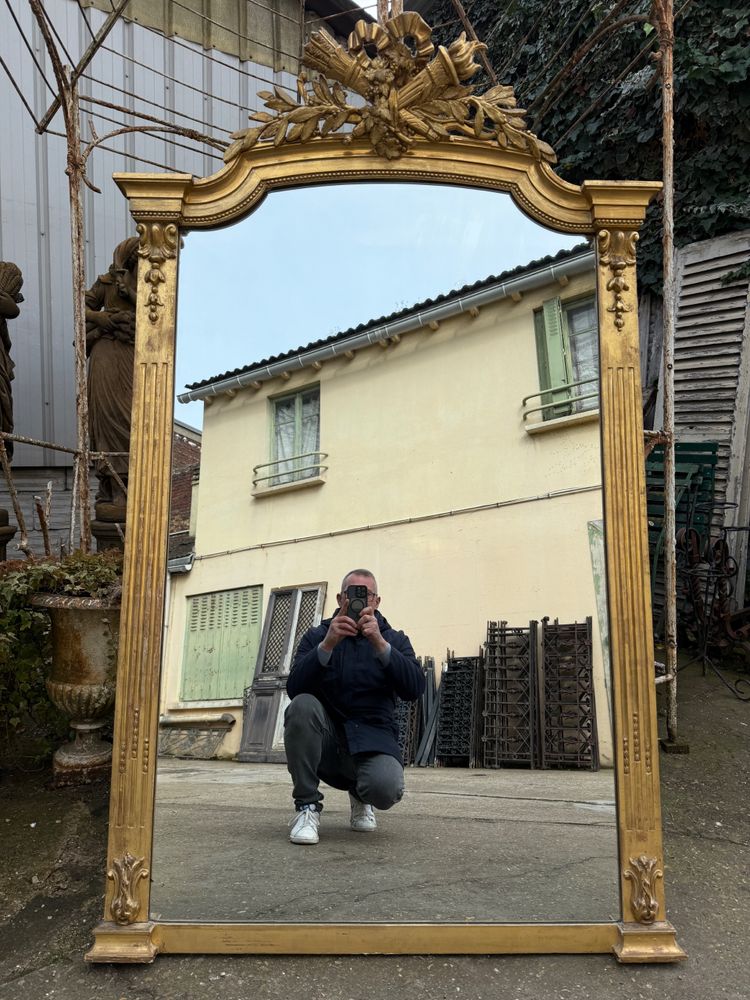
x=663 y=14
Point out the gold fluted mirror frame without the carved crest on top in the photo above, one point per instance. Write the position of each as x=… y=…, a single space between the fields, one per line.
x=163 y=205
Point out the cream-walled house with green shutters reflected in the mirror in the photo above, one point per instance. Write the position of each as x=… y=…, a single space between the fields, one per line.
x=452 y=448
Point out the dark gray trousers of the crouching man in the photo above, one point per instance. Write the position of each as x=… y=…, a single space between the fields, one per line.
x=314 y=754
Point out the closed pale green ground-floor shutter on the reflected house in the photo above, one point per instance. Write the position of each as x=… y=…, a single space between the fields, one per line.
x=221 y=643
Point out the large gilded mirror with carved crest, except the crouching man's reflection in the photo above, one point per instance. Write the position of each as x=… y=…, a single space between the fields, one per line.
x=454 y=404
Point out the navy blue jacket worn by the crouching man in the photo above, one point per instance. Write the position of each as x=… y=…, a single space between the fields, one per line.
x=357 y=690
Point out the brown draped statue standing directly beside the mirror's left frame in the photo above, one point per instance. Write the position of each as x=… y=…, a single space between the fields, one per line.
x=110 y=345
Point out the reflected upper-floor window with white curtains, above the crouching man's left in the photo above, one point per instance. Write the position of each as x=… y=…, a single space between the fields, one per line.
x=296 y=436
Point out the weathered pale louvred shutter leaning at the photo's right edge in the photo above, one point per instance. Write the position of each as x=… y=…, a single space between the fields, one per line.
x=712 y=370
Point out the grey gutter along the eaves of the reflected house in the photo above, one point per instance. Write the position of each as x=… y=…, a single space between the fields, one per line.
x=424 y=317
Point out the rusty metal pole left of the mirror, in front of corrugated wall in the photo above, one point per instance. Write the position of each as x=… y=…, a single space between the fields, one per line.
x=75 y=171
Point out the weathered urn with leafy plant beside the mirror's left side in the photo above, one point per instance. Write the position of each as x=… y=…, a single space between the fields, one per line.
x=68 y=609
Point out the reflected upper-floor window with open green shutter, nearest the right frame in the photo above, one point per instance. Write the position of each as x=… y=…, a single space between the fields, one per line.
x=568 y=356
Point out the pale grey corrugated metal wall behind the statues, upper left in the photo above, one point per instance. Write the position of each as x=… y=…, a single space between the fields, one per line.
x=173 y=79
